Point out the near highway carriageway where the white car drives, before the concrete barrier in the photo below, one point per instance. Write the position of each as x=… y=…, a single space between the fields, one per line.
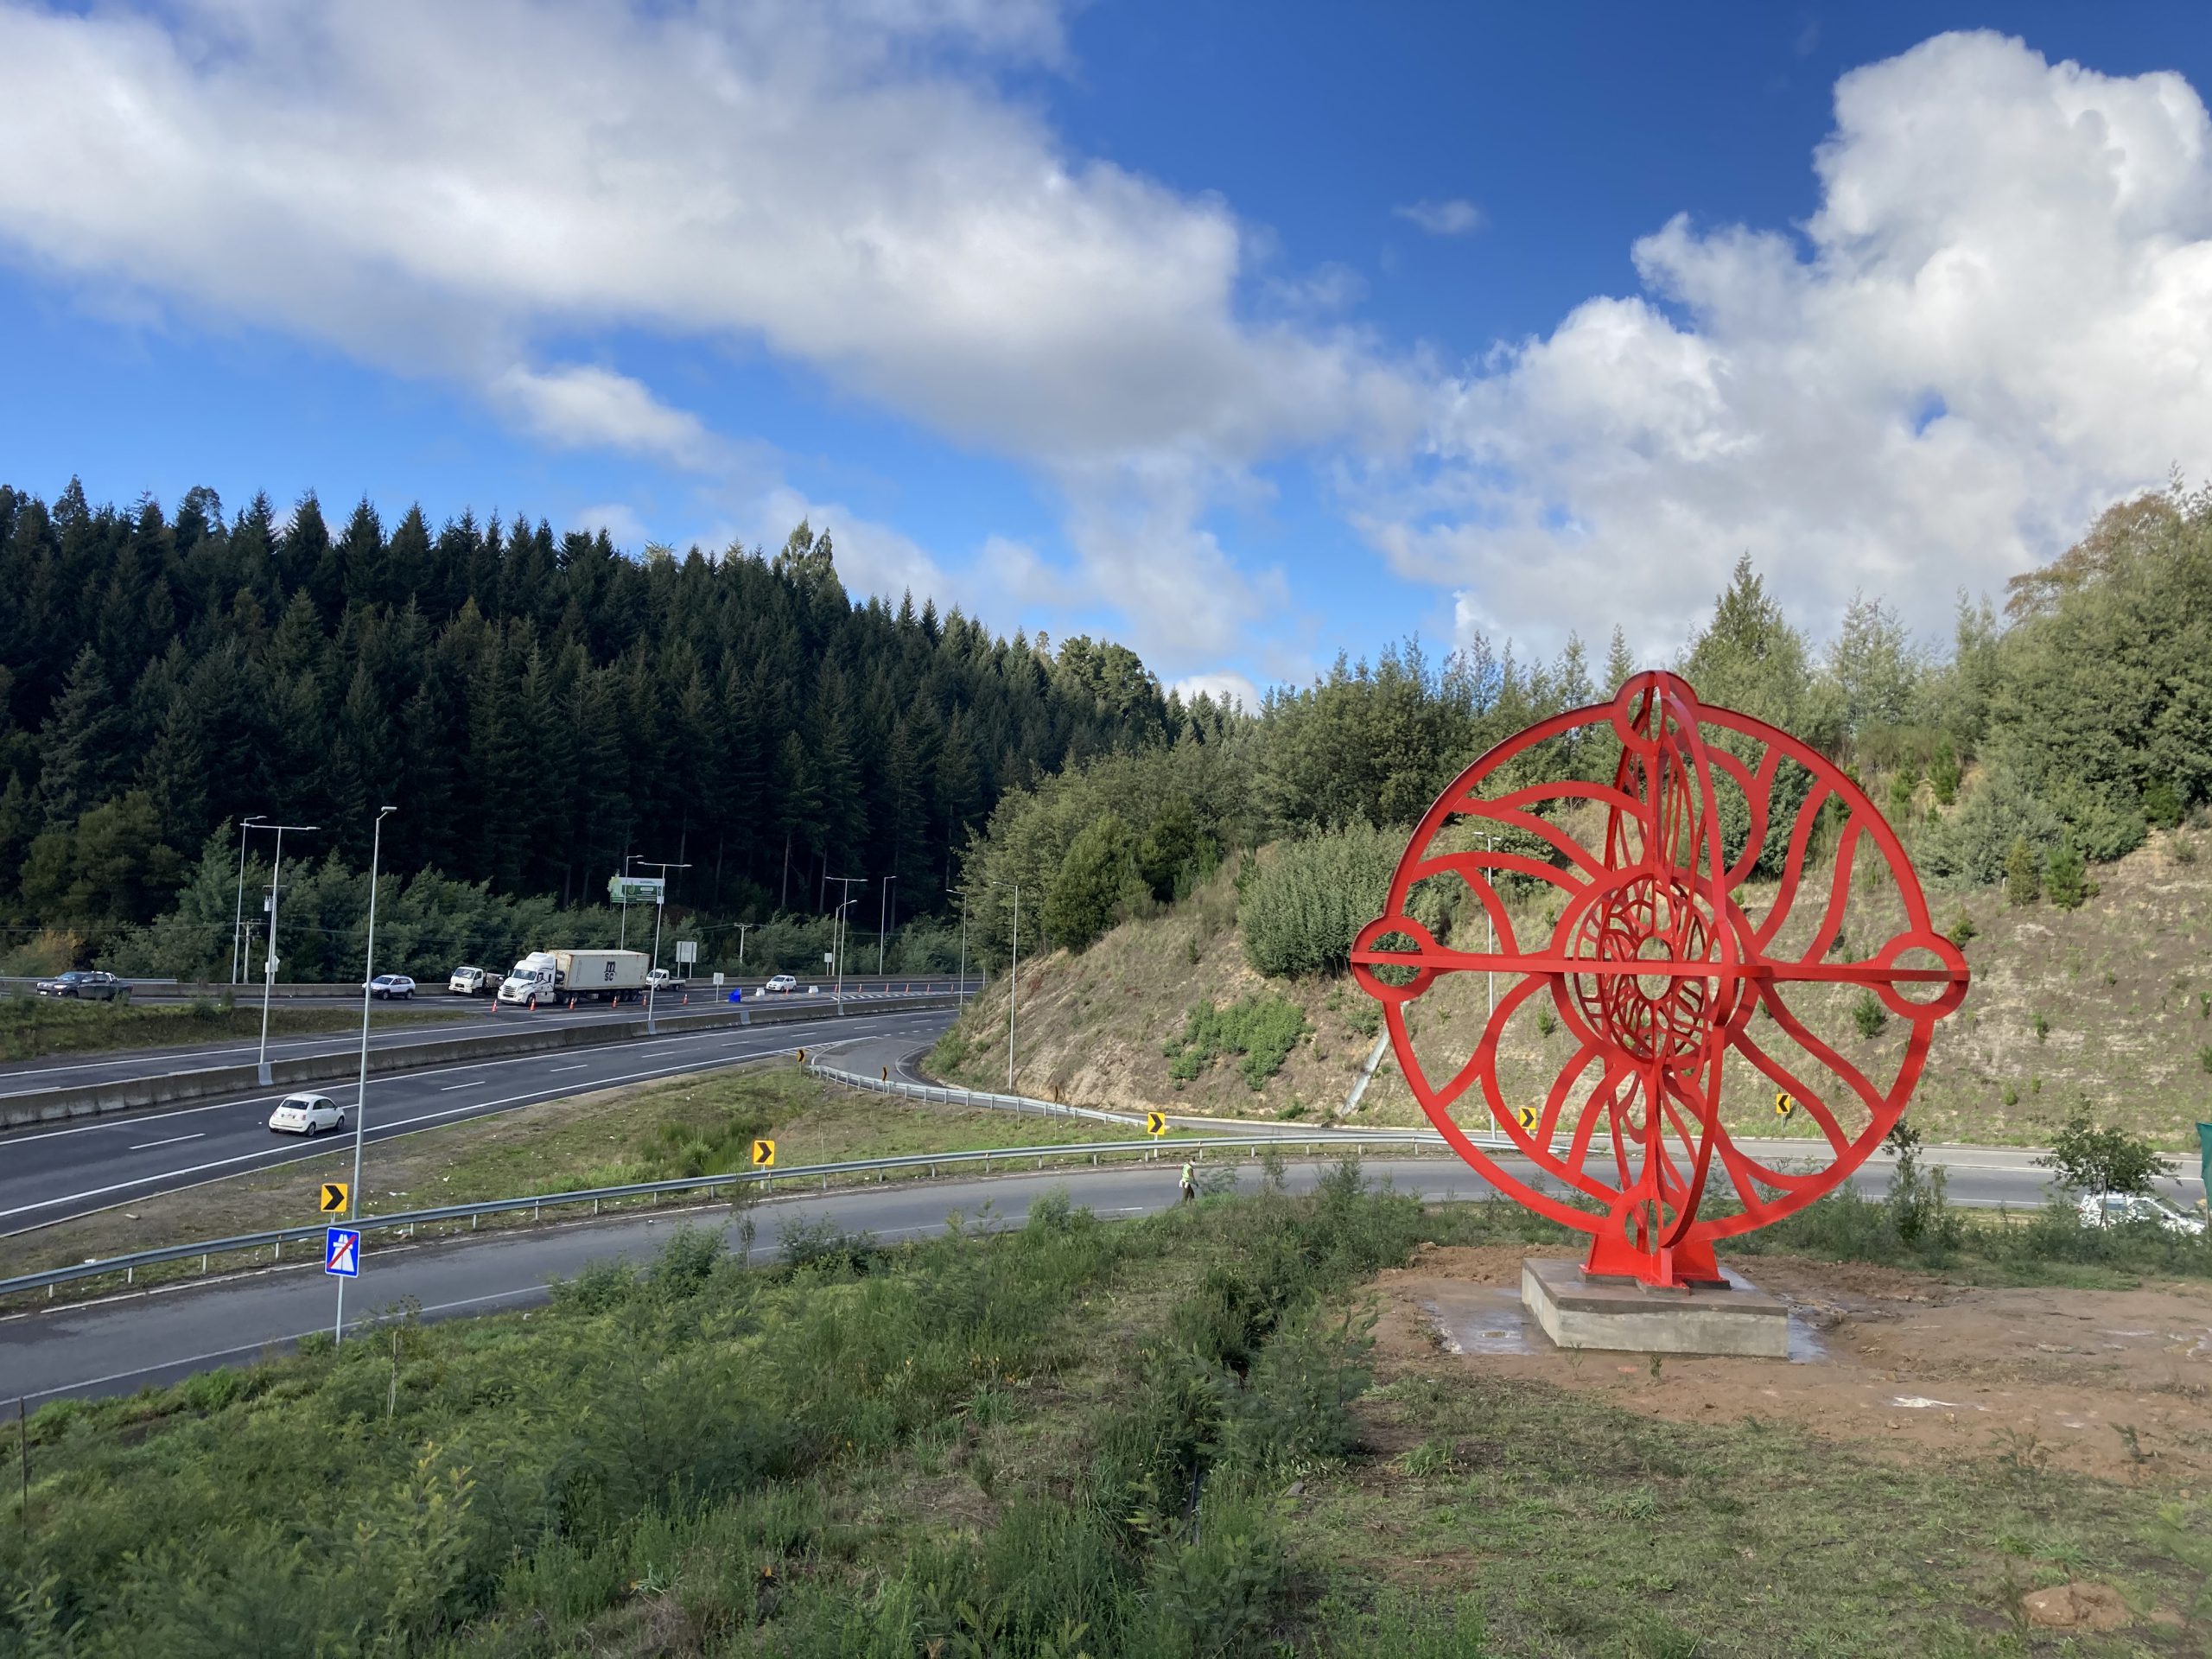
x=56 y=1173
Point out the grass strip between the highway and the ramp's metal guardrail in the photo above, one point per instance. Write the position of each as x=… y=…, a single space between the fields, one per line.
x=614 y=1138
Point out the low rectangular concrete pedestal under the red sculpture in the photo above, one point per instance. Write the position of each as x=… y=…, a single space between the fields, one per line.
x=1629 y=1317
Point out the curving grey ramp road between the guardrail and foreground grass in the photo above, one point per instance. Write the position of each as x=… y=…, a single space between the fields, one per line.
x=140 y=1339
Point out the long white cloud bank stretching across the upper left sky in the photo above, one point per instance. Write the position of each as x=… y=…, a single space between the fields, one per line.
x=833 y=180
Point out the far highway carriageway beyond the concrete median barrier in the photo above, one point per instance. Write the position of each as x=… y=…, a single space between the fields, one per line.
x=470 y=1016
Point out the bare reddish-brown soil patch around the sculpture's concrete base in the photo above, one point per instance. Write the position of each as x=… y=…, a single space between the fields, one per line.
x=2109 y=1384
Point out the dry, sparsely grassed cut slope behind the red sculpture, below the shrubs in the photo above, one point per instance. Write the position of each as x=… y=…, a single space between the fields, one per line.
x=2120 y=988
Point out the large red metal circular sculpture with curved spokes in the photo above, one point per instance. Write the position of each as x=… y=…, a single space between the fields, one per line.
x=1658 y=970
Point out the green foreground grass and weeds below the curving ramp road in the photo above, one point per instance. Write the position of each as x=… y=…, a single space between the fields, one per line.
x=1162 y=1439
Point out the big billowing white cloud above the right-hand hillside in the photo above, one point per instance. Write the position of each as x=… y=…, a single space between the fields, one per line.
x=1999 y=322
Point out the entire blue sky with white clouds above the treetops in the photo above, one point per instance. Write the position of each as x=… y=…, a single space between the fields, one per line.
x=1242 y=335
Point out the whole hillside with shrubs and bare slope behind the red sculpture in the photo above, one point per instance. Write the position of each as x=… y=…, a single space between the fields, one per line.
x=2052 y=778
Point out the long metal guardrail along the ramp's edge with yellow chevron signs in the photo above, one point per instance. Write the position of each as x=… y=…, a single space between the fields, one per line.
x=766 y=1180
